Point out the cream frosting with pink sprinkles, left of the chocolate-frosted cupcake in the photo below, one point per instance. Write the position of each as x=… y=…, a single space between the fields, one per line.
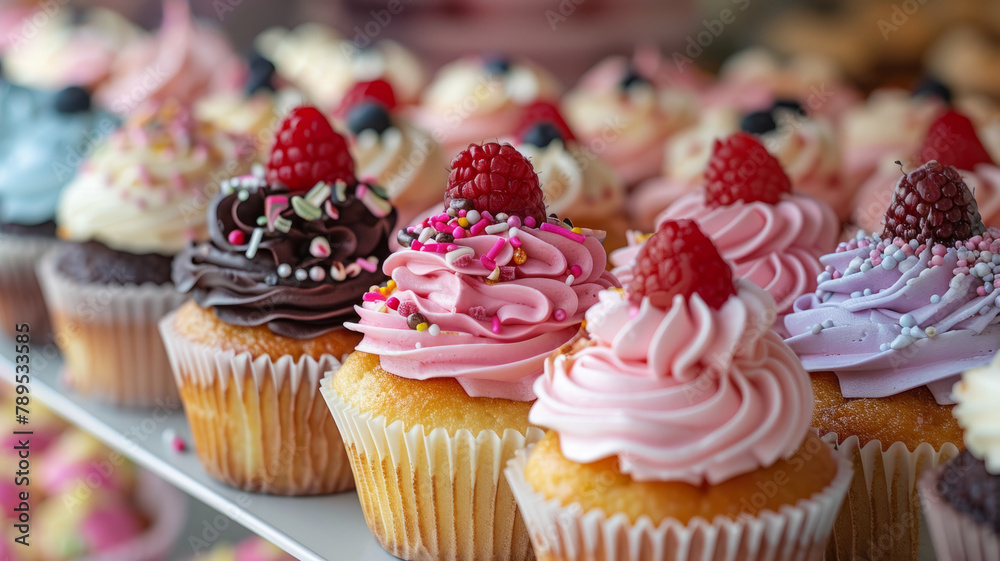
x=146 y=189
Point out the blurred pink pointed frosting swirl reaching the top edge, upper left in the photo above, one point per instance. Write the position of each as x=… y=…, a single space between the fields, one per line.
x=184 y=61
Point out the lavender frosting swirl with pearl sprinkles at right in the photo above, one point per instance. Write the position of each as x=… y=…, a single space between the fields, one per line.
x=891 y=316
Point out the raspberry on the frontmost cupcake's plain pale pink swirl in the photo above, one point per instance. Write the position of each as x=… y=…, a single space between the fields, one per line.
x=680 y=259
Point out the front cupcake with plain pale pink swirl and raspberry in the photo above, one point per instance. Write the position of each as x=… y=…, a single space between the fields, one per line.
x=679 y=419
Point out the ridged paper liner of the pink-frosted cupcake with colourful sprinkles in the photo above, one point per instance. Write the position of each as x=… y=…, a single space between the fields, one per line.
x=431 y=496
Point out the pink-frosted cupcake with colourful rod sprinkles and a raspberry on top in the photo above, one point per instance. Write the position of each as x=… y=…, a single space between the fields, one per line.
x=441 y=383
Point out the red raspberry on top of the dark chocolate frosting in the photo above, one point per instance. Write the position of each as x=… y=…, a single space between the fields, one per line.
x=307 y=150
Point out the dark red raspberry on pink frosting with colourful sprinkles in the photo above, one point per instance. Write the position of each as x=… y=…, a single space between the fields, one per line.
x=496 y=178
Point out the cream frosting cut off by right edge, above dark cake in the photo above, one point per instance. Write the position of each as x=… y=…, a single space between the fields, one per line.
x=977 y=395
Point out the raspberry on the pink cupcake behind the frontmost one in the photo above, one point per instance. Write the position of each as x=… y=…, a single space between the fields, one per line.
x=741 y=169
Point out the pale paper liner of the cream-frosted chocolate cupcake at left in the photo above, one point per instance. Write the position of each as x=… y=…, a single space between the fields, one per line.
x=108 y=337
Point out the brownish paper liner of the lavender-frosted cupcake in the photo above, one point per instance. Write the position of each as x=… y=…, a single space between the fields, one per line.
x=881 y=518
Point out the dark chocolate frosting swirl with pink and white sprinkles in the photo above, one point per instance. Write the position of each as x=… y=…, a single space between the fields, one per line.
x=294 y=261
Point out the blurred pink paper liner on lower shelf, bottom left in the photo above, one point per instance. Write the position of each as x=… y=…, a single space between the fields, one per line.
x=166 y=509
